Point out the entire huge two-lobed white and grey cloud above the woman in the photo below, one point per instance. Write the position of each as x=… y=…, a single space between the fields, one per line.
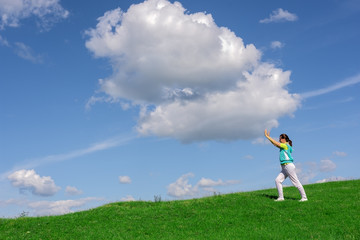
x=197 y=81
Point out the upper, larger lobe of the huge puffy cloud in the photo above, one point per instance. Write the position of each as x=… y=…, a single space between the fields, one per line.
x=156 y=48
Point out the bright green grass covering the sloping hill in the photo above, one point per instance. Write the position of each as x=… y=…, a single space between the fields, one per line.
x=332 y=212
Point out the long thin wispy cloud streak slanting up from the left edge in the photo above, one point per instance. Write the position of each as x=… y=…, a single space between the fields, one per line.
x=33 y=163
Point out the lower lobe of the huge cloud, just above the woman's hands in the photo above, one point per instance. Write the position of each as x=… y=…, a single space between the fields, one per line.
x=244 y=112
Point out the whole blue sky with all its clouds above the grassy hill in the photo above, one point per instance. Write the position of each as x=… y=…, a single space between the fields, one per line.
x=127 y=100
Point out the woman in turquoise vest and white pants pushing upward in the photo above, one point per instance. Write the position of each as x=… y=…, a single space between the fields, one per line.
x=287 y=166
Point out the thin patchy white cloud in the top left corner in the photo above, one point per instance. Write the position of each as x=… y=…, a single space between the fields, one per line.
x=47 y=11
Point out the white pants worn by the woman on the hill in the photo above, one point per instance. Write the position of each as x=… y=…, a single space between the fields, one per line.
x=289 y=171
